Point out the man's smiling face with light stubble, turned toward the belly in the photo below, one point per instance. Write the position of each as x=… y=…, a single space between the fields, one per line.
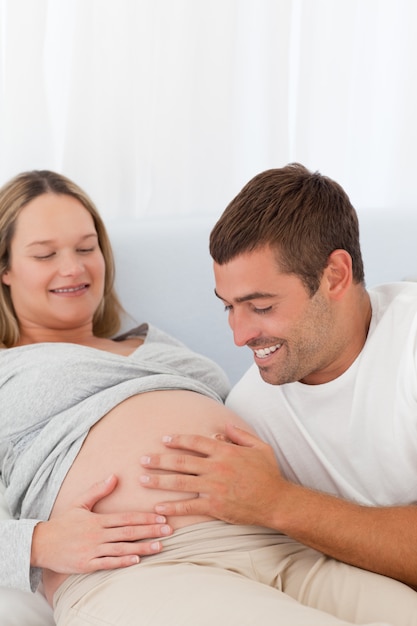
x=294 y=336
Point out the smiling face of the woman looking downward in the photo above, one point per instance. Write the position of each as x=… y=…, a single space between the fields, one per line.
x=57 y=270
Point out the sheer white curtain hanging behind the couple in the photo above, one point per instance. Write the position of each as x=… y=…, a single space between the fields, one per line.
x=167 y=107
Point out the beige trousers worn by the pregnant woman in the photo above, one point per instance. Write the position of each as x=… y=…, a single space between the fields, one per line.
x=216 y=574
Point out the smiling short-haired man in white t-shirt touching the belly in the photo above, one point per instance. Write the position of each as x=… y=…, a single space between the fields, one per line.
x=333 y=390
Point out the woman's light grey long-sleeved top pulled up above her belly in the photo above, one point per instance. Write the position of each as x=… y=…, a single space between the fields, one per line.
x=51 y=394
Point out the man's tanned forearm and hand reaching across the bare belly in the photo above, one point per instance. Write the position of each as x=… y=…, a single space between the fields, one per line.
x=243 y=484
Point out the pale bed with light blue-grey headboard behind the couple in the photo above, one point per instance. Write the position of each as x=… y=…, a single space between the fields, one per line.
x=164 y=275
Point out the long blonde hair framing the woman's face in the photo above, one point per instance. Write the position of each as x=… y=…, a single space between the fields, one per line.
x=15 y=195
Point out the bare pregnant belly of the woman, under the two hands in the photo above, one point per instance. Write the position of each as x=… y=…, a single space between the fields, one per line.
x=116 y=443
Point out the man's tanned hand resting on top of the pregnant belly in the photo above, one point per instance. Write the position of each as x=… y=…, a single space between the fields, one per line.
x=236 y=483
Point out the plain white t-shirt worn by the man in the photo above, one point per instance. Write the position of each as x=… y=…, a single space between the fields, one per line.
x=356 y=436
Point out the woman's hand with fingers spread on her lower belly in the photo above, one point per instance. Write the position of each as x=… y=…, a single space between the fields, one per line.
x=80 y=541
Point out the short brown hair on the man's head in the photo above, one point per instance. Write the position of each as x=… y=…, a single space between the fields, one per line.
x=303 y=216
